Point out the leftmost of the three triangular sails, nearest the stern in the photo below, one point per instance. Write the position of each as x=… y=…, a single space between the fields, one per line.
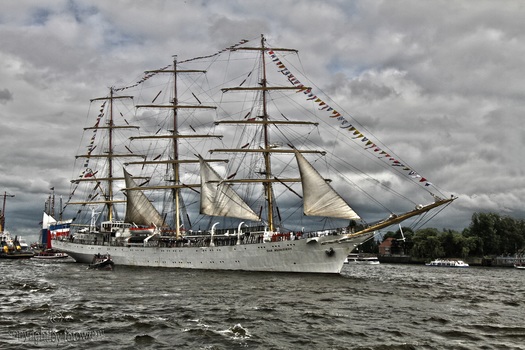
x=139 y=209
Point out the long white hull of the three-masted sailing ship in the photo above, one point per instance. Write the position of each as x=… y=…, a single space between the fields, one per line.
x=319 y=255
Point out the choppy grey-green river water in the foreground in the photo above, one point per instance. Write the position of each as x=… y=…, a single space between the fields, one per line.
x=64 y=305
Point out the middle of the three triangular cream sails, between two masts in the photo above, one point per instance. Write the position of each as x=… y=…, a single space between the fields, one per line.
x=219 y=199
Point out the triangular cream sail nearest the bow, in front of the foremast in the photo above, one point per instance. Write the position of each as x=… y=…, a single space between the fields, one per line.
x=319 y=198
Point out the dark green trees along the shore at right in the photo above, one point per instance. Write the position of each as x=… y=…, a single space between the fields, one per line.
x=488 y=234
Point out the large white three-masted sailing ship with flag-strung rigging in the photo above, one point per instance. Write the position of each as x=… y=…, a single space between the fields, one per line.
x=218 y=170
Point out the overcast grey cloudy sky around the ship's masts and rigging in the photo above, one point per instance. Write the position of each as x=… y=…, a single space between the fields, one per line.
x=450 y=72
